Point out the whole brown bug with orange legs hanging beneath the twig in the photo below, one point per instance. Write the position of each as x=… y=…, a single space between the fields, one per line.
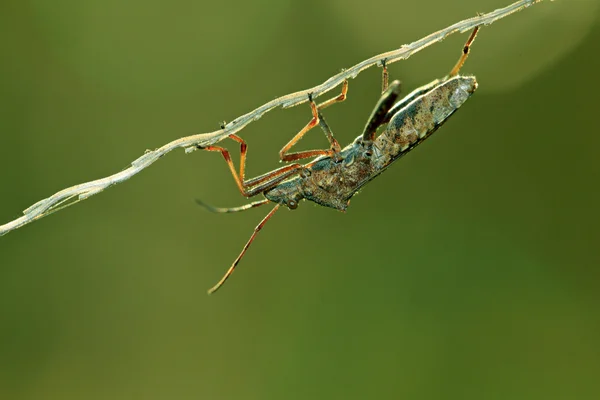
x=337 y=174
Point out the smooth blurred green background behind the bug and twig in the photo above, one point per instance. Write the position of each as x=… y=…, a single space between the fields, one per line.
x=469 y=270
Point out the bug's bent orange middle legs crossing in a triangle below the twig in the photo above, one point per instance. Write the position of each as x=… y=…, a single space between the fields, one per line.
x=316 y=119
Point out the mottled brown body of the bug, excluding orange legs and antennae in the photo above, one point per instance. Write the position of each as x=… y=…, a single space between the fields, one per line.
x=331 y=181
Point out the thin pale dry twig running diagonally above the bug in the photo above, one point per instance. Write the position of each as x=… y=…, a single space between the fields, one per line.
x=76 y=193
